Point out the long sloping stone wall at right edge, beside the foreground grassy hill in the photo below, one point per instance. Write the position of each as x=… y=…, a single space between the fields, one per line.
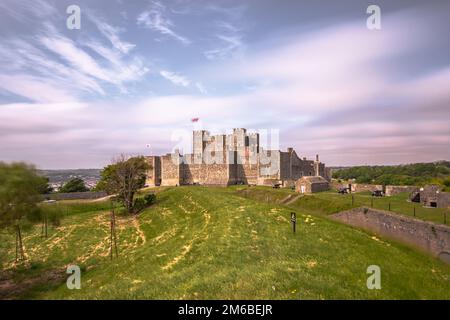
x=428 y=236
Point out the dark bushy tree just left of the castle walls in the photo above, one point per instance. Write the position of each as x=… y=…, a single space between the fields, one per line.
x=124 y=177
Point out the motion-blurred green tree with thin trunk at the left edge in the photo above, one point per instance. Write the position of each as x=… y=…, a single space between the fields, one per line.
x=20 y=187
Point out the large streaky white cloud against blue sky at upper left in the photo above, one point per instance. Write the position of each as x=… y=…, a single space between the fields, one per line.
x=49 y=66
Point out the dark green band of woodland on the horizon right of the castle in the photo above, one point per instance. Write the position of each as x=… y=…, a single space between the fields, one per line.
x=410 y=174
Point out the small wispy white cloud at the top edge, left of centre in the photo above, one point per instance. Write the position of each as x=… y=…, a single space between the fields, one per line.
x=156 y=20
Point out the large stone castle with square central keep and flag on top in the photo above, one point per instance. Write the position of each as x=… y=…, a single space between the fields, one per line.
x=236 y=158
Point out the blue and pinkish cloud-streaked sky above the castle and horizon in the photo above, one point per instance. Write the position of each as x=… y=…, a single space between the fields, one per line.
x=136 y=72
